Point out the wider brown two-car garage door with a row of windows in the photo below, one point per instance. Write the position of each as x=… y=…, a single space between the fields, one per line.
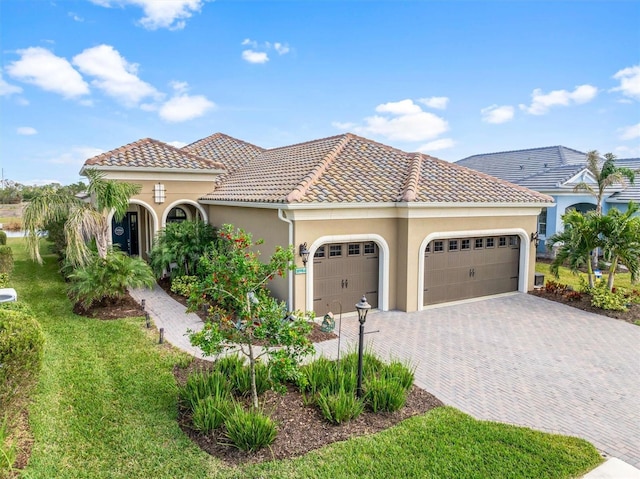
x=462 y=268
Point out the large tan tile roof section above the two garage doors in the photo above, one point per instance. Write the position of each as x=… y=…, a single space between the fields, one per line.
x=351 y=169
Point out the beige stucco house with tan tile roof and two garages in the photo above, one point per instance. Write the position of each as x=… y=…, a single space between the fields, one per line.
x=406 y=229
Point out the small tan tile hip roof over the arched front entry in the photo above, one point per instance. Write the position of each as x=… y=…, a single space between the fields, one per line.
x=149 y=153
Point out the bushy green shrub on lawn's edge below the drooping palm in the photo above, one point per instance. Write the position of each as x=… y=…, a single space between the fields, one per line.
x=109 y=278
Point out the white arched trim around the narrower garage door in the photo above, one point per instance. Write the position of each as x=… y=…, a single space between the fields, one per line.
x=383 y=265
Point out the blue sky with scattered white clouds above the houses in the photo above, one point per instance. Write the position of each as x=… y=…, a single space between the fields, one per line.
x=450 y=79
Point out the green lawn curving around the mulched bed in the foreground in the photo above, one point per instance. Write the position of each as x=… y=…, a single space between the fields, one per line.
x=105 y=406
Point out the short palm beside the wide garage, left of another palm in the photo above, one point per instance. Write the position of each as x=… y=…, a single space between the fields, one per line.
x=577 y=241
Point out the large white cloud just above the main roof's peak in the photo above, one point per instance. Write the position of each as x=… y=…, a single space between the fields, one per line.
x=405 y=121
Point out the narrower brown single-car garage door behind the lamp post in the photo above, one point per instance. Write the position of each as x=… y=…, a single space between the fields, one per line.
x=342 y=273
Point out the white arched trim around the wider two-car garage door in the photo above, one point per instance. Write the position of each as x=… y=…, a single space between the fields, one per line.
x=525 y=248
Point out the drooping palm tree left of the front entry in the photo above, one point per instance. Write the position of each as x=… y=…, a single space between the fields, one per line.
x=84 y=221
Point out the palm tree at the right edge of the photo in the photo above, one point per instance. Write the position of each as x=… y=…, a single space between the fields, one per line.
x=620 y=240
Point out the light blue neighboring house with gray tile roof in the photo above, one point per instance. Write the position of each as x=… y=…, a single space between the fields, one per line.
x=555 y=171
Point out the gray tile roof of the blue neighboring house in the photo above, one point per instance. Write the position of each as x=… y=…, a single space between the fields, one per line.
x=521 y=166
